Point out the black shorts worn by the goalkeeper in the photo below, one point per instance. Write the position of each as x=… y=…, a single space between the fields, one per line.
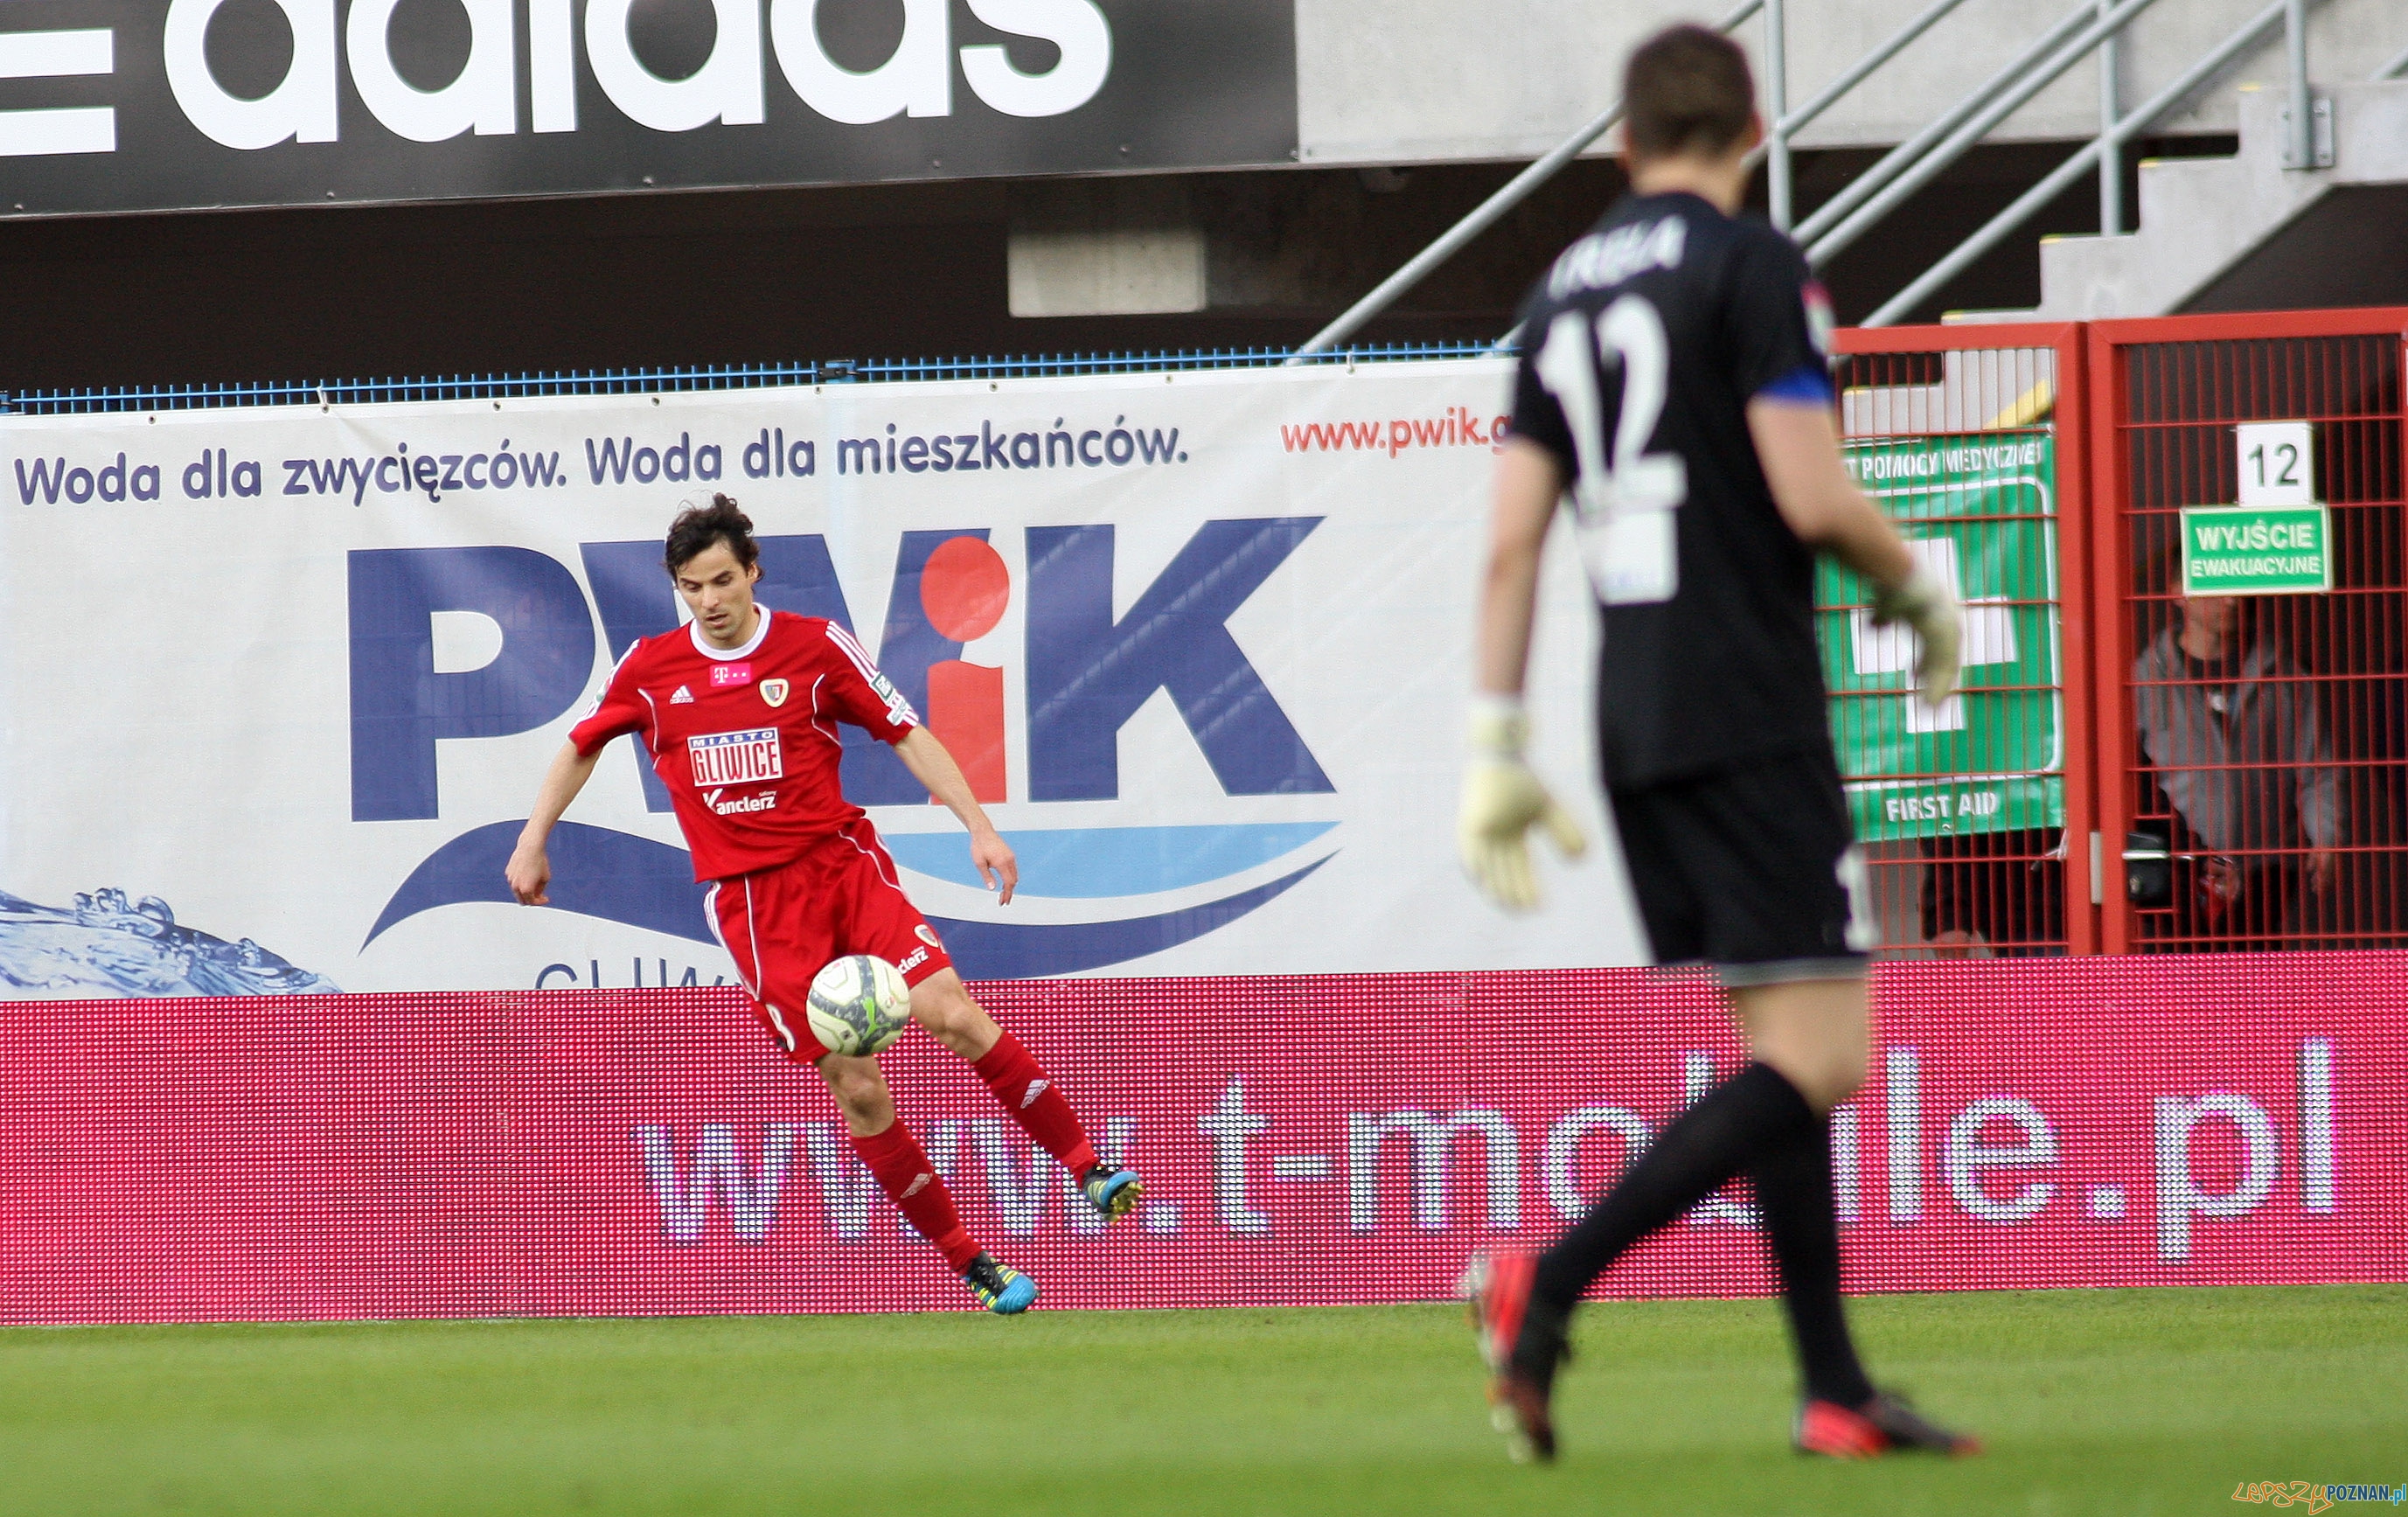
x=1752 y=870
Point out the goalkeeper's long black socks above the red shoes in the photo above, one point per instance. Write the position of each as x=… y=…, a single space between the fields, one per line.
x=1757 y=1123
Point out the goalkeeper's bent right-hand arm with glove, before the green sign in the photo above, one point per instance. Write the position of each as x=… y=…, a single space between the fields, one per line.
x=1800 y=451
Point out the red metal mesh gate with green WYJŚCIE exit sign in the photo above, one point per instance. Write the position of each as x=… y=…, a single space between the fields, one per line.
x=2253 y=728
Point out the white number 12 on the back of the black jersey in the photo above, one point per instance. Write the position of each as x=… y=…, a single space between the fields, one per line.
x=1622 y=500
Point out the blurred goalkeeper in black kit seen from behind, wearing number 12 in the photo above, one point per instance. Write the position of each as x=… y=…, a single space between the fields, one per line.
x=1675 y=386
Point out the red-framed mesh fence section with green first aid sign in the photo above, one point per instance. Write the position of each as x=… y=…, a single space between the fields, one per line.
x=1966 y=813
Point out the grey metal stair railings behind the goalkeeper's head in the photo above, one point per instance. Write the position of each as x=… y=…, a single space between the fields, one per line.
x=2094 y=28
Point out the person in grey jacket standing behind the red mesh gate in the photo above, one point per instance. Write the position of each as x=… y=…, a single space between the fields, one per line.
x=2231 y=726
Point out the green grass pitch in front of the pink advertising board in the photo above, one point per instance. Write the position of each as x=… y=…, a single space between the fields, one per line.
x=2091 y=1403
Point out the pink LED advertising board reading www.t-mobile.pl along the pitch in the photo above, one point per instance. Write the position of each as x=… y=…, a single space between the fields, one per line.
x=1306 y=1140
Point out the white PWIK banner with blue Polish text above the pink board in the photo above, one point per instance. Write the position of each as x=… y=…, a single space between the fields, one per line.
x=281 y=683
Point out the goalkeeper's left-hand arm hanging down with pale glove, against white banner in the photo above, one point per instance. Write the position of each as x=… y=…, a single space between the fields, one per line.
x=1501 y=796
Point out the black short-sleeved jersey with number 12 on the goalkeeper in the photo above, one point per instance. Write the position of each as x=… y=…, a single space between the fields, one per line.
x=1641 y=353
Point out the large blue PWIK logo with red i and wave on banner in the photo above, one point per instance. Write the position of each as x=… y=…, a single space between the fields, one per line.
x=1099 y=895
